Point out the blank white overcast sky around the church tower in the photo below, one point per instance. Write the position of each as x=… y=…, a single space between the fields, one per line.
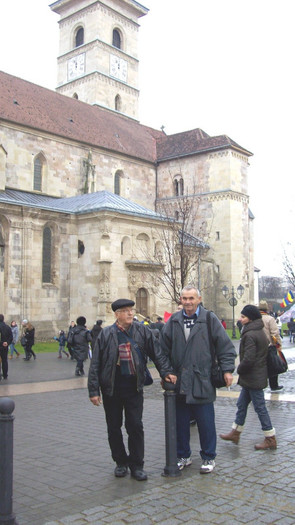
x=226 y=66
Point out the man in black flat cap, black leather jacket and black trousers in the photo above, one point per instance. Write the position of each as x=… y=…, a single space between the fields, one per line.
x=117 y=371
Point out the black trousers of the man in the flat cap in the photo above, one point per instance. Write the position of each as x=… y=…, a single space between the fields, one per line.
x=129 y=401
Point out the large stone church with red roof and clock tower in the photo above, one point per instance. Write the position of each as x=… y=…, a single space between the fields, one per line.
x=82 y=184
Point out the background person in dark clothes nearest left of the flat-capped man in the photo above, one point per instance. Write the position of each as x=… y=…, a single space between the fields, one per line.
x=80 y=338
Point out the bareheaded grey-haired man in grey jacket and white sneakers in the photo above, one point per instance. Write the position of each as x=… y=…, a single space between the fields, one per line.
x=185 y=340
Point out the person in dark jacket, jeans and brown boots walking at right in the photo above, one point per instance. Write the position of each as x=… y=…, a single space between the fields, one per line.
x=252 y=372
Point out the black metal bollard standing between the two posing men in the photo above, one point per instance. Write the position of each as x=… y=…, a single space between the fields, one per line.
x=171 y=468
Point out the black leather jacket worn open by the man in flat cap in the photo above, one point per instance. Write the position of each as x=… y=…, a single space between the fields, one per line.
x=105 y=356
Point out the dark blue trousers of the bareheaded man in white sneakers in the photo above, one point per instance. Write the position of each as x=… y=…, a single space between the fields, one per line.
x=205 y=417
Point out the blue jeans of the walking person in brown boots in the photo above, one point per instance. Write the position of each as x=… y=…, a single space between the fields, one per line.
x=257 y=397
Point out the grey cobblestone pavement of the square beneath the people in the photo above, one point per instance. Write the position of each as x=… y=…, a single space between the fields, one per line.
x=63 y=472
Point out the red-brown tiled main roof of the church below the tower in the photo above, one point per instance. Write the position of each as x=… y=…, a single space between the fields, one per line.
x=32 y=106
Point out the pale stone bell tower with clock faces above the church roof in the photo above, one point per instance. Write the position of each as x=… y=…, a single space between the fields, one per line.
x=98 y=52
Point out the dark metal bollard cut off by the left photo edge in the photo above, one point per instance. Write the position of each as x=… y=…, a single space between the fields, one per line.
x=6 y=461
